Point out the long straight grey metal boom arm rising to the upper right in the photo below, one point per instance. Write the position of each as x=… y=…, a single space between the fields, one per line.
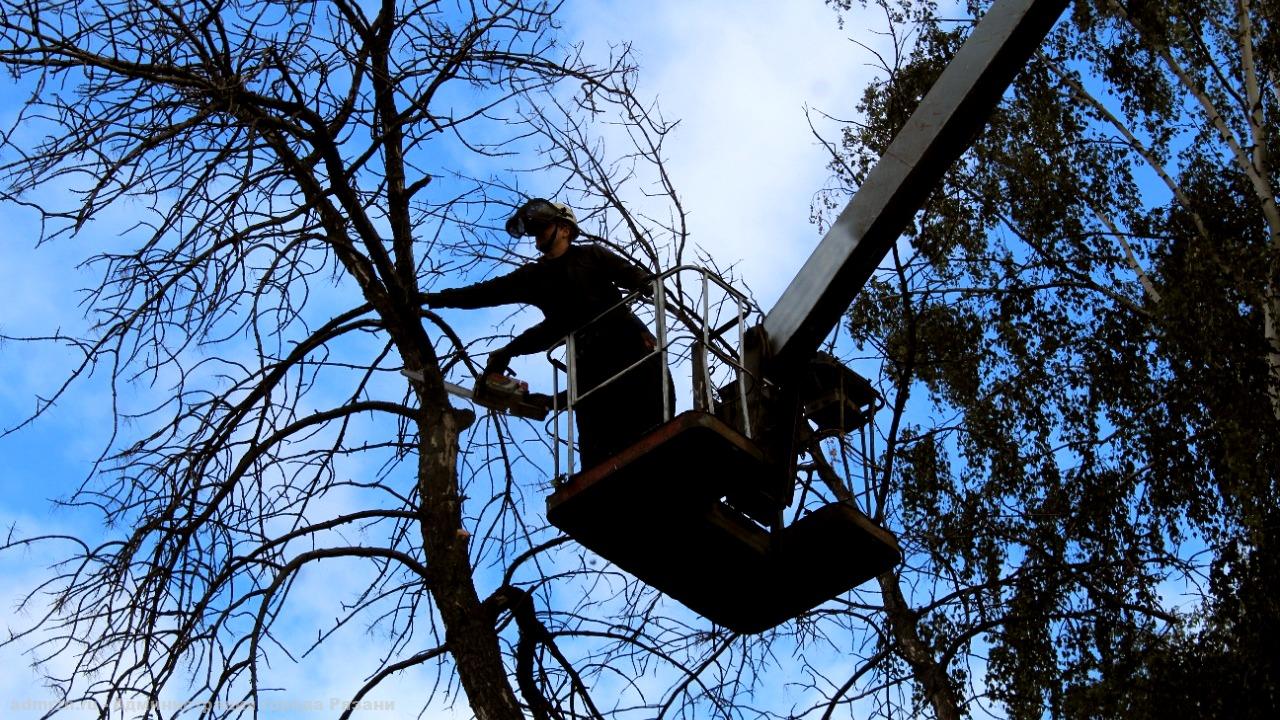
x=931 y=142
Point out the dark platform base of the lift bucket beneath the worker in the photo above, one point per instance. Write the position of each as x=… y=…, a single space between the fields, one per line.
x=659 y=512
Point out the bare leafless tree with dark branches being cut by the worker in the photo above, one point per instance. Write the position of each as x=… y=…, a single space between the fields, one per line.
x=300 y=174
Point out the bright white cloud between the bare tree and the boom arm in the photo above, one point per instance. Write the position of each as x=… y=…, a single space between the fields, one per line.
x=738 y=76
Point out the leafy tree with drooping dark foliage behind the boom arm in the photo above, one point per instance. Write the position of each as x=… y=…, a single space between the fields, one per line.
x=1089 y=306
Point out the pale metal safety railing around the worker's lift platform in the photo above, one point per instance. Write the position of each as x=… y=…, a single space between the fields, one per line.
x=703 y=313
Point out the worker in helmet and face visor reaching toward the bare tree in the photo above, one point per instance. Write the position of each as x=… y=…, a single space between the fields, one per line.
x=574 y=285
